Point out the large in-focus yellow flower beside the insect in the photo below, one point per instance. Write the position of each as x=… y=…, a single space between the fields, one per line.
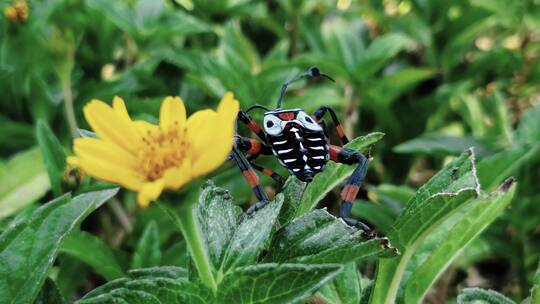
x=149 y=158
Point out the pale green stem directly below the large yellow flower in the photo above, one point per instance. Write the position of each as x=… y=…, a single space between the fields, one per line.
x=195 y=245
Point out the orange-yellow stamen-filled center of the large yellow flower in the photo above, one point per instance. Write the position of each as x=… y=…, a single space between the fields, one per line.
x=162 y=150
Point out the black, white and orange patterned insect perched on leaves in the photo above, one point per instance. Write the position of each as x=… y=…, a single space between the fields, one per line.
x=301 y=144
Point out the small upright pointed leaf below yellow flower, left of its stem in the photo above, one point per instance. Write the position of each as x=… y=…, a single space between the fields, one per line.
x=147 y=253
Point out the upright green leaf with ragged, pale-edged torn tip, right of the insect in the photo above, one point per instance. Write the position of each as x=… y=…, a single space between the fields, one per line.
x=433 y=202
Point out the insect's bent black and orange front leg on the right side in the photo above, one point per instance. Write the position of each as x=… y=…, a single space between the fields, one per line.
x=352 y=186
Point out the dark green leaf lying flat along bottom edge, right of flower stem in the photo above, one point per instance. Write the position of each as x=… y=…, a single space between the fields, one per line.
x=274 y=283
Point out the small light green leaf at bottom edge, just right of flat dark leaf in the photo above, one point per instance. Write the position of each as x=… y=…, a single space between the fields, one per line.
x=344 y=288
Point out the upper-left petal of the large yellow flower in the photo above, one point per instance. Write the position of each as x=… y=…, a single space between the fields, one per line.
x=112 y=126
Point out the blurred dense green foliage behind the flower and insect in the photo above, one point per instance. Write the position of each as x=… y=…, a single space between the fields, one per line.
x=435 y=76
